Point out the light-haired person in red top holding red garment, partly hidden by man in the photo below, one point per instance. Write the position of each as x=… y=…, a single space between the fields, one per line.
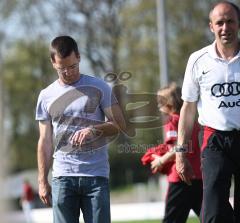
x=181 y=198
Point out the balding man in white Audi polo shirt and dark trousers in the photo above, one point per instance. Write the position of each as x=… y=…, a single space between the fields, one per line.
x=212 y=87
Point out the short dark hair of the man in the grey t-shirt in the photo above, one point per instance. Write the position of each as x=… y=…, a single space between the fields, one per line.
x=63 y=46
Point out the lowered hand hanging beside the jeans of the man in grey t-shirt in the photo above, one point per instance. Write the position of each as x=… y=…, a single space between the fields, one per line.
x=45 y=193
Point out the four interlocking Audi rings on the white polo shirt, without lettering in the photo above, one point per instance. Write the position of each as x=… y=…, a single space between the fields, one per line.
x=226 y=89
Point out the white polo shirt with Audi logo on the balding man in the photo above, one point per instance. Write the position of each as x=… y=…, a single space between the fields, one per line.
x=215 y=84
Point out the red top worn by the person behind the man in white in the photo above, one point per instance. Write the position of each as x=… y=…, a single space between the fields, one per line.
x=170 y=130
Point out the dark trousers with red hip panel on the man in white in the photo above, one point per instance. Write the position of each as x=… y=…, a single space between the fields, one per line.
x=220 y=160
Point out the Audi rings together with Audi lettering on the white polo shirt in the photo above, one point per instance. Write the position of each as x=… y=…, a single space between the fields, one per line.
x=225 y=90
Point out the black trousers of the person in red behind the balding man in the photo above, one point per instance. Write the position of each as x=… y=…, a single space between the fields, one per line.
x=181 y=198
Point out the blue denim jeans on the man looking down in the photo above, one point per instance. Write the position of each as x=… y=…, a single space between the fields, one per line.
x=90 y=194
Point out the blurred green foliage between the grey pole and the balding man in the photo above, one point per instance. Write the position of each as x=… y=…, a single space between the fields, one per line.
x=187 y=32
